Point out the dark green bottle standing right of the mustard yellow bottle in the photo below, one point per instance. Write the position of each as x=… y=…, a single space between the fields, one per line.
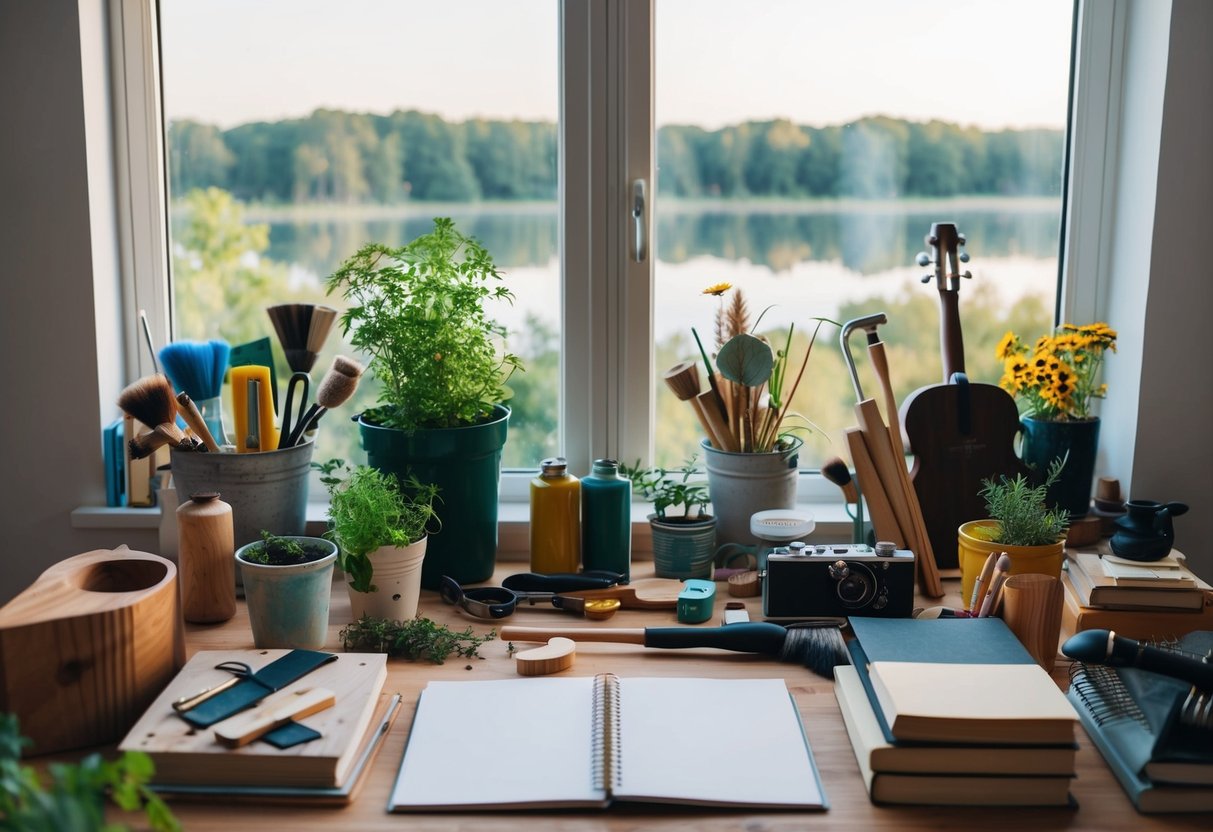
x=607 y=520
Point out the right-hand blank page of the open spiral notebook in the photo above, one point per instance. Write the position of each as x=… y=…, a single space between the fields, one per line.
x=714 y=742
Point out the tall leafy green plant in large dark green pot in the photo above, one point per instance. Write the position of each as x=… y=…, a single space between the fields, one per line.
x=418 y=312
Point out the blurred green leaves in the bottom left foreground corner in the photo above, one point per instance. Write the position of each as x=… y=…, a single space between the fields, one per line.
x=75 y=800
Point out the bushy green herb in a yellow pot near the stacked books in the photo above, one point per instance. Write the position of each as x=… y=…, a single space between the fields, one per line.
x=1021 y=523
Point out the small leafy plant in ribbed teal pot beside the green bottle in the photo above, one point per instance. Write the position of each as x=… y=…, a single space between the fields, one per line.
x=684 y=539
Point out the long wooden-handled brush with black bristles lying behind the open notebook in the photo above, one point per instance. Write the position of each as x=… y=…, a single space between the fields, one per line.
x=819 y=648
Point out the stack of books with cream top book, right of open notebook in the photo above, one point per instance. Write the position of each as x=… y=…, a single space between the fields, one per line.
x=955 y=713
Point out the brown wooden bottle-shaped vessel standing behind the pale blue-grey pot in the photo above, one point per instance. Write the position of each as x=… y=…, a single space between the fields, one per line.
x=207 y=559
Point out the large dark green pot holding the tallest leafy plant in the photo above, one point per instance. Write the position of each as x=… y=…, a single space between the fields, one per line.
x=465 y=464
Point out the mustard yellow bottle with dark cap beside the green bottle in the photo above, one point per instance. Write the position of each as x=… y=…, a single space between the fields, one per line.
x=555 y=518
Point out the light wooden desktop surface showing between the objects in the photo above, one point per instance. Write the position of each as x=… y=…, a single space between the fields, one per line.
x=1102 y=805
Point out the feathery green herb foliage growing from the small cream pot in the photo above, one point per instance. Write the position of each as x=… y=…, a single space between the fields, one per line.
x=368 y=510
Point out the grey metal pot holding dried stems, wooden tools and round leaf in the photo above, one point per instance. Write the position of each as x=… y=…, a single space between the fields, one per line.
x=753 y=463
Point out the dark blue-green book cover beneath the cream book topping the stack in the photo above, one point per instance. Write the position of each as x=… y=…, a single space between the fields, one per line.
x=944 y=641
